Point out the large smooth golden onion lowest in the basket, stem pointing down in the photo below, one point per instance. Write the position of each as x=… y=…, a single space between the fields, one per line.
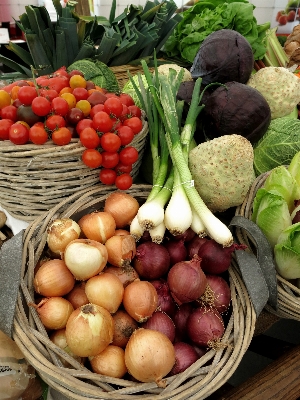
x=149 y=356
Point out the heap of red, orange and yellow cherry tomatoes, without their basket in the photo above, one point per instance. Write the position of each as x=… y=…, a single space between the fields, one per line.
x=65 y=106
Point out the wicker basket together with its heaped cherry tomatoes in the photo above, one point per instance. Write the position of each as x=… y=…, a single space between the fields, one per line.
x=60 y=134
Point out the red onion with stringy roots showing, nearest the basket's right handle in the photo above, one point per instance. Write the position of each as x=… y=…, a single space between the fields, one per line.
x=217 y=293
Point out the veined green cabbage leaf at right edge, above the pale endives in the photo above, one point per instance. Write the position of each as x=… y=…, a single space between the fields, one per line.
x=278 y=146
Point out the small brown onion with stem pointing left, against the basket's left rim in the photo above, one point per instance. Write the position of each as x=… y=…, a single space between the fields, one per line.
x=54 y=312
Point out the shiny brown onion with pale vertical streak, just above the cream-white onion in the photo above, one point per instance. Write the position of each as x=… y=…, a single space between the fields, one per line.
x=98 y=225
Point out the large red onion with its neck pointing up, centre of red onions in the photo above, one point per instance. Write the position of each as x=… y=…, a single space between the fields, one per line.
x=186 y=280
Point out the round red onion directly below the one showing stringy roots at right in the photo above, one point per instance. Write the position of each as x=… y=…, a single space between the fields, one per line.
x=205 y=326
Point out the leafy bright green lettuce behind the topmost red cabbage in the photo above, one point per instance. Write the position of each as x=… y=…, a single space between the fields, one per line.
x=206 y=17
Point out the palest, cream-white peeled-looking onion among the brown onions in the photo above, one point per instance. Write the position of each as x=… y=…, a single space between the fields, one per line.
x=85 y=258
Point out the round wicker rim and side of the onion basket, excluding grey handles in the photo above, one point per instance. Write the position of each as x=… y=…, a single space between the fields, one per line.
x=199 y=381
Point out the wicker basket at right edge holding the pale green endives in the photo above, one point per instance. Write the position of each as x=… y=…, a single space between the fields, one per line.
x=288 y=294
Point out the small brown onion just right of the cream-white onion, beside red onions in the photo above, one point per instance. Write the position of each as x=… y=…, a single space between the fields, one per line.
x=120 y=250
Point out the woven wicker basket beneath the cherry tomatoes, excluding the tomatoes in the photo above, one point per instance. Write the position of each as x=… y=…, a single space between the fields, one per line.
x=34 y=178
